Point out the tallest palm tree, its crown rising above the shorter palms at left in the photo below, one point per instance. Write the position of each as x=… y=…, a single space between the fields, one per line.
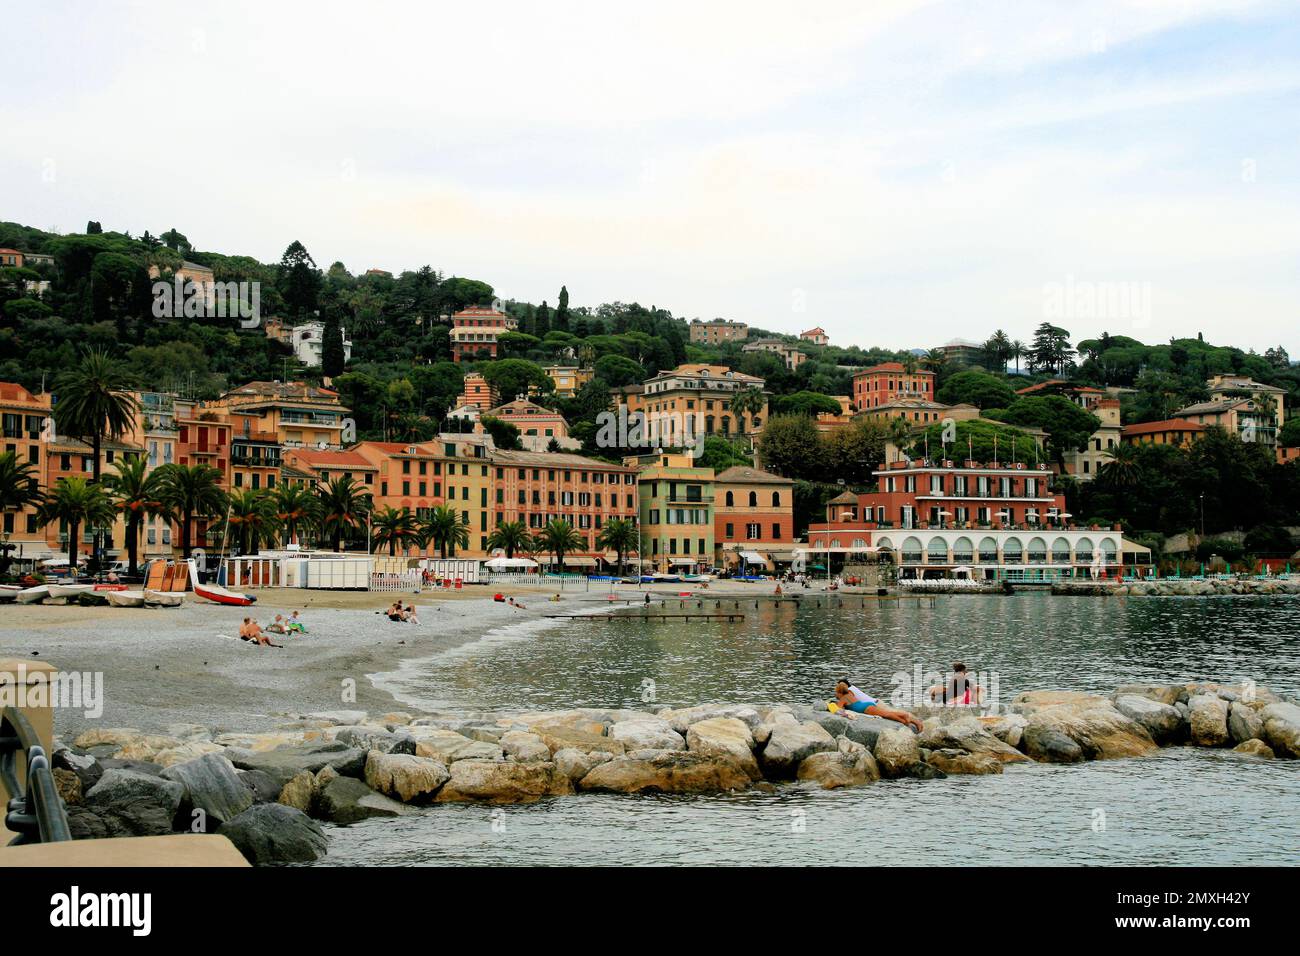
x=94 y=403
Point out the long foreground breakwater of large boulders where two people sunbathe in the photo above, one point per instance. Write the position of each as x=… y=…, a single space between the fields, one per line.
x=270 y=793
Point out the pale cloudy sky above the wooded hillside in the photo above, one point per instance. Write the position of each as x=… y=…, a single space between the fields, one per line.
x=900 y=174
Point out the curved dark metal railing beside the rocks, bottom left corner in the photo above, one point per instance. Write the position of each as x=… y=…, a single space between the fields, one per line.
x=36 y=811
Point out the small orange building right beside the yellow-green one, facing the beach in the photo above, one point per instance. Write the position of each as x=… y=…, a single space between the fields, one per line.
x=753 y=518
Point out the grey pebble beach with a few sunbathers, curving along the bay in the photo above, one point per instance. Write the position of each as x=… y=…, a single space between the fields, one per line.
x=167 y=667
